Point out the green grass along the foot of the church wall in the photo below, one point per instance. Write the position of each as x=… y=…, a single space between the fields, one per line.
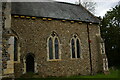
x=112 y=75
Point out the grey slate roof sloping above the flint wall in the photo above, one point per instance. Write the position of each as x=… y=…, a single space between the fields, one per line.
x=53 y=10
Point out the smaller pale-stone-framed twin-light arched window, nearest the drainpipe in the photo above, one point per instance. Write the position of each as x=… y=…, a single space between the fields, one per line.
x=75 y=47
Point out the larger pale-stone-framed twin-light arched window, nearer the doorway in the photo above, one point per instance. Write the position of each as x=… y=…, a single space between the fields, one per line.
x=53 y=47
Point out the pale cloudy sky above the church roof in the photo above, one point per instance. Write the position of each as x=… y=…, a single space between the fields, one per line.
x=101 y=6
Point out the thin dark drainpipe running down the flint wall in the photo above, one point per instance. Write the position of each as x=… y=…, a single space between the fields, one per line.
x=89 y=48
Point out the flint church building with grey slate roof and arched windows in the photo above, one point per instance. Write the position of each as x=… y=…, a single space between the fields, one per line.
x=50 y=39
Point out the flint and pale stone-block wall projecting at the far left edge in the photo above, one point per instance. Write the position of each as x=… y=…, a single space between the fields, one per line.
x=7 y=45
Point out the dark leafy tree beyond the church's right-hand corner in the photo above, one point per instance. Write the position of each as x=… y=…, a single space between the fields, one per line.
x=110 y=31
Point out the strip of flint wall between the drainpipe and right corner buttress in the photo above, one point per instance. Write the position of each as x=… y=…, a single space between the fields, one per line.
x=95 y=49
